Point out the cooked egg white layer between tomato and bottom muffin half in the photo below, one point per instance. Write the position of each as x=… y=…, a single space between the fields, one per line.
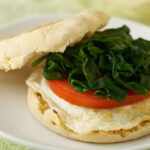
x=84 y=120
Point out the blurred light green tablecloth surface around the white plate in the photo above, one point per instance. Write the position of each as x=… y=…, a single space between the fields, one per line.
x=11 y=10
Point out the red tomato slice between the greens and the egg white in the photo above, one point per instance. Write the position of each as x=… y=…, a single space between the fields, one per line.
x=64 y=90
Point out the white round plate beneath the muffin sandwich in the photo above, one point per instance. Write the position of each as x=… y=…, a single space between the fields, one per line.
x=17 y=123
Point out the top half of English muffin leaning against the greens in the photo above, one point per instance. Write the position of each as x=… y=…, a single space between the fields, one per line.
x=16 y=51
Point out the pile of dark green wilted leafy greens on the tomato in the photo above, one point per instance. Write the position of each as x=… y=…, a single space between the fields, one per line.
x=109 y=63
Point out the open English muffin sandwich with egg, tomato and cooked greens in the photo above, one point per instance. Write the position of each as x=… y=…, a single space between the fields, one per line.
x=88 y=84
